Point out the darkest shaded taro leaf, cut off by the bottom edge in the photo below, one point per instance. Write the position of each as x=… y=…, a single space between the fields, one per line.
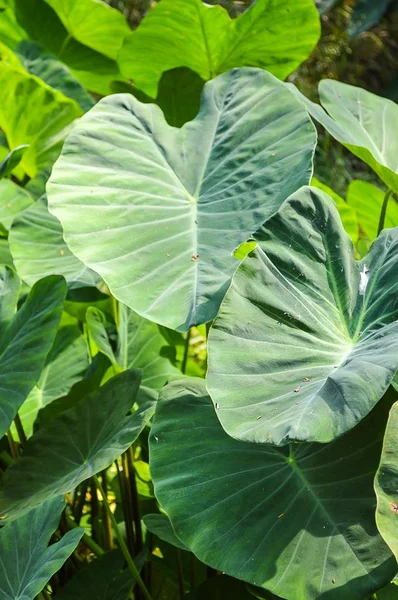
x=102 y=579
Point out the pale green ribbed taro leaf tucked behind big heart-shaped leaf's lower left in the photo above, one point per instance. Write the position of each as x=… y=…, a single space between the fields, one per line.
x=38 y=248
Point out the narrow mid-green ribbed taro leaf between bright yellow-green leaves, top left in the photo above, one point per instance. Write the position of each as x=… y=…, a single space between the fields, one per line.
x=53 y=72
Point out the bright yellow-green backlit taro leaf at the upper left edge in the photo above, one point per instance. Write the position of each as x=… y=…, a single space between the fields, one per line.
x=50 y=114
